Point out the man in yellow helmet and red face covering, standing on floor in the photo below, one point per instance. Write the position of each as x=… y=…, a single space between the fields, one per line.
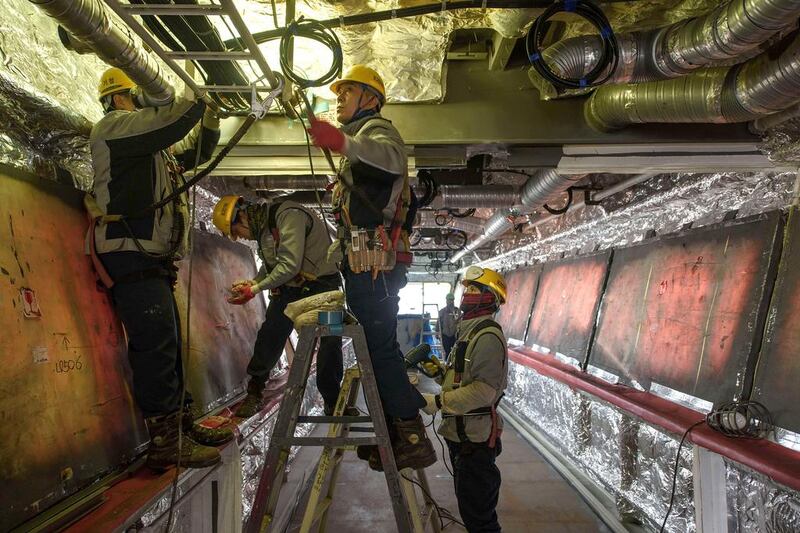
x=472 y=385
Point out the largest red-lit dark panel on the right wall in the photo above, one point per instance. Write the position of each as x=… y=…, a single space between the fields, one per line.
x=686 y=311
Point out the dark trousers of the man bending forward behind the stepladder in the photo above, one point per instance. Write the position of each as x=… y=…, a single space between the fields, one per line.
x=276 y=329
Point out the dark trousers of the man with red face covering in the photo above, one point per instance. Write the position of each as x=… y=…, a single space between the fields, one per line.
x=477 y=483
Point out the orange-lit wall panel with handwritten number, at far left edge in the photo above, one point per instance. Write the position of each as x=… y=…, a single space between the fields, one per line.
x=65 y=395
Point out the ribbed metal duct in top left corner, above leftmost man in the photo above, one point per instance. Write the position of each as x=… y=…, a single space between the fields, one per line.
x=90 y=22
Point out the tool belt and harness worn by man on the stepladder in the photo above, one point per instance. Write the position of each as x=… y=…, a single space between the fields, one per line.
x=375 y=249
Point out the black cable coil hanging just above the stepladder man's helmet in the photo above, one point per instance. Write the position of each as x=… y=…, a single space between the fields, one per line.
x=316 y=31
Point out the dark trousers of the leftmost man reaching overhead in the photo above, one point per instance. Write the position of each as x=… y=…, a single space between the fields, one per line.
x=146 y=305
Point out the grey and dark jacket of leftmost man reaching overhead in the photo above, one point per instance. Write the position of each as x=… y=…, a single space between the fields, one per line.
x=131 y=151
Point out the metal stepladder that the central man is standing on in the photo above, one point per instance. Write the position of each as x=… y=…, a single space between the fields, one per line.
x=401 y=491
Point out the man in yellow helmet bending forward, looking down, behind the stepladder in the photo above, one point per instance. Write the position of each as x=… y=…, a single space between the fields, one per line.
x=292 y=243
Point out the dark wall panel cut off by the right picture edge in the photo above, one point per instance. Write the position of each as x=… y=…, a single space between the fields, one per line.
x=778 y=370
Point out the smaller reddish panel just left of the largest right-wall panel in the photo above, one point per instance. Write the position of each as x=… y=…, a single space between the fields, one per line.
x=566 y=304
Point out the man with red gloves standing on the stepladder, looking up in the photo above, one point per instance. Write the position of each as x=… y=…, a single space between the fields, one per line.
x=374 y=208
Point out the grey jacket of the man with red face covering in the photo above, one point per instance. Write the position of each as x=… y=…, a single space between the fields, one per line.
x=486 y=361
